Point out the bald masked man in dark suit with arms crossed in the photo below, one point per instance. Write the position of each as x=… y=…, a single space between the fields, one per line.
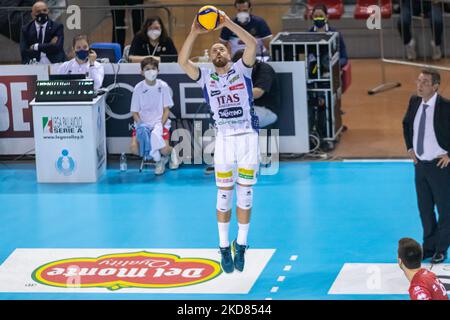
x=42 y=39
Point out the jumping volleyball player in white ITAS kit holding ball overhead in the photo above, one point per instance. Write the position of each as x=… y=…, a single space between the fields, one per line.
x=228 y=91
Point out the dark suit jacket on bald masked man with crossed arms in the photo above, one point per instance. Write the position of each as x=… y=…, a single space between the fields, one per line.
x=55 y=52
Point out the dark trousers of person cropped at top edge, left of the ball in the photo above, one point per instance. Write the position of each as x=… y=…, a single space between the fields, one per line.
x=119 y=33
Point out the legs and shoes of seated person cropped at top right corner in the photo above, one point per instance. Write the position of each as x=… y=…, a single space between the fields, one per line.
x=431 y=9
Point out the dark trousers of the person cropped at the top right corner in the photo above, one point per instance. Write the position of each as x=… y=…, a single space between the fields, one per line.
x=414 y=7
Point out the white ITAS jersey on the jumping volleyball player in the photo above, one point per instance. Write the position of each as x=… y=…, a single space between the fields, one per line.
x=230 y=98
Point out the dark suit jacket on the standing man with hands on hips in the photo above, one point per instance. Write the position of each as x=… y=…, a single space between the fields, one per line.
x=441 y=121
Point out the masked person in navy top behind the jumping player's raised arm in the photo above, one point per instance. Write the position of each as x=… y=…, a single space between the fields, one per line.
x=255 y=25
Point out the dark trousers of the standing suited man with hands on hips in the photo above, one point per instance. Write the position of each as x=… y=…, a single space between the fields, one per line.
x=433 y=190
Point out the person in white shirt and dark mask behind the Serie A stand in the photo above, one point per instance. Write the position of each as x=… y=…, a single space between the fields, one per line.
x=84 y=62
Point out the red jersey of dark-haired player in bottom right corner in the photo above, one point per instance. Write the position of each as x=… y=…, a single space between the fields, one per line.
x=426 y=286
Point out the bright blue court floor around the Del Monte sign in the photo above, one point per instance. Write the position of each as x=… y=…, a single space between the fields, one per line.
x=325 y=213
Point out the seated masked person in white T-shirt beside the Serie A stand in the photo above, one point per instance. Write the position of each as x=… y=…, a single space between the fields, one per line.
x=150 y=106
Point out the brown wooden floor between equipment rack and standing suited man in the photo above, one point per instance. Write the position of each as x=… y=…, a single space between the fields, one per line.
x=375 y=121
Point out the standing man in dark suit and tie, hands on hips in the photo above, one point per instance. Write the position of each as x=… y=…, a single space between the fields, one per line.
x=426 y=129
